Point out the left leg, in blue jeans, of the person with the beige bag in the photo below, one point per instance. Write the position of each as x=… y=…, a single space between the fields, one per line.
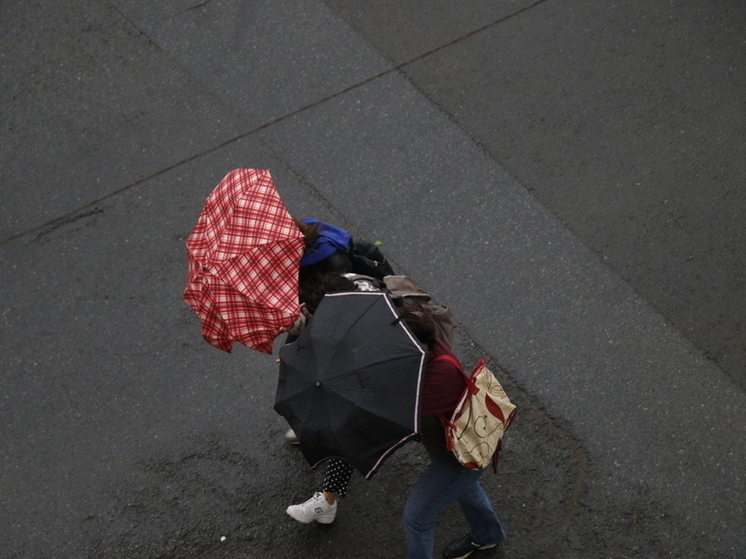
x=441 y=483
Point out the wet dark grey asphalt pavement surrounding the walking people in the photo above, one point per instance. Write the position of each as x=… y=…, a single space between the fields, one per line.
x=566 y=175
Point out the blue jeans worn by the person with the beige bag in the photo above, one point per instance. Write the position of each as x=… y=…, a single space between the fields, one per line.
x=445 y=481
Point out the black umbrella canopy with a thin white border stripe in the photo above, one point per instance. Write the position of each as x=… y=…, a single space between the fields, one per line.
x=349 y=386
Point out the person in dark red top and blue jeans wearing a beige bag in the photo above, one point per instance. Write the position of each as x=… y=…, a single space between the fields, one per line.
x=445 y=480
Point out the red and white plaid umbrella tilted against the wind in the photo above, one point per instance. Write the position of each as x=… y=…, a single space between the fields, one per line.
x=244 y=256
